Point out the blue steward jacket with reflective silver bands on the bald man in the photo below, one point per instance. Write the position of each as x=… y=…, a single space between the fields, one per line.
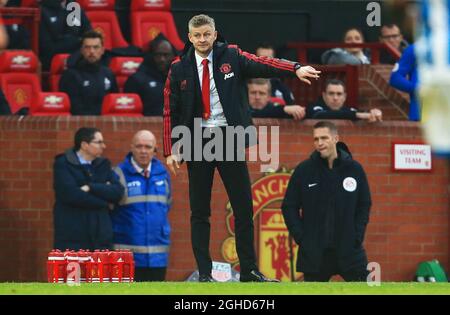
x=141 y=221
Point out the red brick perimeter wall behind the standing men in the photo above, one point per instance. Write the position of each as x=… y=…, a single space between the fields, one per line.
x=409 y=219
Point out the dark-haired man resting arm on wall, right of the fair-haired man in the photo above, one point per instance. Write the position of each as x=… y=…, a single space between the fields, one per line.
x=332 y=105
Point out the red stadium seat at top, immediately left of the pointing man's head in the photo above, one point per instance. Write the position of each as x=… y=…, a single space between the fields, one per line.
x=148 y=19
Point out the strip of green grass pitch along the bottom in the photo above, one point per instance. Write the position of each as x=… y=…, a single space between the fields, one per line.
x=229 y=288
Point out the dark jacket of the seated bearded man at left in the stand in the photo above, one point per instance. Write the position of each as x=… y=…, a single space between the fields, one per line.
x=87 y=84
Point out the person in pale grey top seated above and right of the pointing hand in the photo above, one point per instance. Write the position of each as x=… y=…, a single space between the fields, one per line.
x=350 y=55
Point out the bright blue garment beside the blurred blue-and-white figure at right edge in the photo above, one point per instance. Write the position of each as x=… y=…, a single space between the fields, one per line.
x=404 y=77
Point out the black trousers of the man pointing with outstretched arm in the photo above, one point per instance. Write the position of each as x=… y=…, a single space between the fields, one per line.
x=236 y=180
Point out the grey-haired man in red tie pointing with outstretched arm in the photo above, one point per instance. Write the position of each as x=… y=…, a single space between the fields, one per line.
x=206 y=88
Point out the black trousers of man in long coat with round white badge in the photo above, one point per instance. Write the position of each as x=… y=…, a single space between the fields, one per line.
x=329 y=268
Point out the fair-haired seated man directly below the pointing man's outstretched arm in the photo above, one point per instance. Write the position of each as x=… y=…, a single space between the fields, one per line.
x=261 y=106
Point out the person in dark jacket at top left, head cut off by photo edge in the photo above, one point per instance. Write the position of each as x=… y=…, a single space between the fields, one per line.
x=56 y=36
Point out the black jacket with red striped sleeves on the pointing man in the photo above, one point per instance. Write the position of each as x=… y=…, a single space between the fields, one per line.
x=231 y=68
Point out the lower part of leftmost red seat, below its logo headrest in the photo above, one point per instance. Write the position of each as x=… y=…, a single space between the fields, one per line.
x=19 y=89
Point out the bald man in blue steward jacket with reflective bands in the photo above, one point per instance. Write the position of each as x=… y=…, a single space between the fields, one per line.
x=141 y=222
